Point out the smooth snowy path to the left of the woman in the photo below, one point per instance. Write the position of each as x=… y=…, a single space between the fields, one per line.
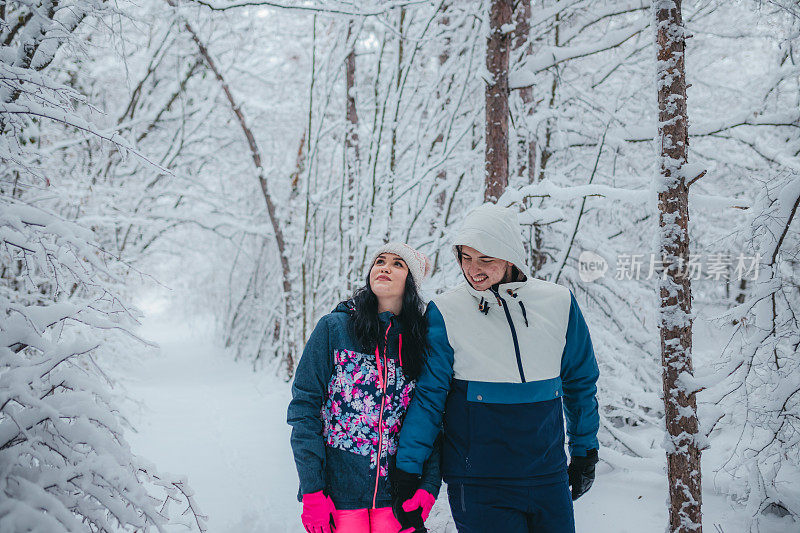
x=222 y=426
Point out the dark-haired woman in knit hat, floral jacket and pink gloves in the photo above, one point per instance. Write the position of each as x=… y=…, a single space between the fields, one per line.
x=352 y=386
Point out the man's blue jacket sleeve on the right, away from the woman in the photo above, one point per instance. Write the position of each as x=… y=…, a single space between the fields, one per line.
x=579 y=373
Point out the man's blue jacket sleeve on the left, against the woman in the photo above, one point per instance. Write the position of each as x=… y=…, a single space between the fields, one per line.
x=423 y=420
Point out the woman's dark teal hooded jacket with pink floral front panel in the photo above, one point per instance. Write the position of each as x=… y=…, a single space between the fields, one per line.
x=344 y=420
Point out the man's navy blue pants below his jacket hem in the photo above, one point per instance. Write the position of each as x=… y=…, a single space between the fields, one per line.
x=512 y=509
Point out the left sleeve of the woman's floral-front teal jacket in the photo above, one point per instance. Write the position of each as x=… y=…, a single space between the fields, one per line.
x=309 y=392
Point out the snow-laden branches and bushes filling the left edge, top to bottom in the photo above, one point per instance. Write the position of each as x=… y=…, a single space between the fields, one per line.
x=64 y=462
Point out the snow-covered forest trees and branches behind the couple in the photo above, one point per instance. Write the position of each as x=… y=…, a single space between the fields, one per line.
x=248 y=155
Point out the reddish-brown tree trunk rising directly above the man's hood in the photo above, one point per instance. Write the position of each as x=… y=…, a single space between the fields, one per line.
x=497 y=51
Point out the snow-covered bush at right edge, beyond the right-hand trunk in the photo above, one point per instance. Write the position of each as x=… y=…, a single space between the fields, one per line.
x=755 y=410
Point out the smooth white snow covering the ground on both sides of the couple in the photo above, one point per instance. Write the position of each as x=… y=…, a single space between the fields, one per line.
x=205 y=416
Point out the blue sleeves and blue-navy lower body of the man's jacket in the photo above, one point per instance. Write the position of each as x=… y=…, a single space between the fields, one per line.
x=512 y=432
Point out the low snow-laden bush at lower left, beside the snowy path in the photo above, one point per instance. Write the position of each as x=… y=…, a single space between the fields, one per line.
x=65 y=463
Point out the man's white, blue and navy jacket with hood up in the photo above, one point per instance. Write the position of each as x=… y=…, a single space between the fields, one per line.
x=506 y=365
